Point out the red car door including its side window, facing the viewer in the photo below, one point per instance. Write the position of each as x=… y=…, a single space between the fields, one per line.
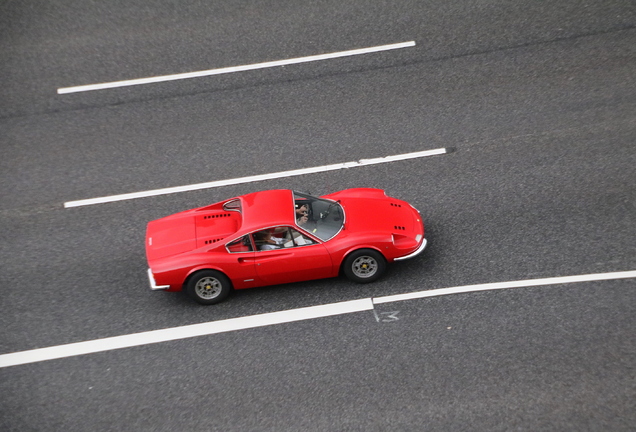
x=294 y=257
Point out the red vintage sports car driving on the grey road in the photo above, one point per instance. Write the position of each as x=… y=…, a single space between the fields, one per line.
x=280 y=236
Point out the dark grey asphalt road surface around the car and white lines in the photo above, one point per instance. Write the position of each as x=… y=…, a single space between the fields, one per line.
x=535 y=103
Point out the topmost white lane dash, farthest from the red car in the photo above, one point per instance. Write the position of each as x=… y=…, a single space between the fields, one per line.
x=139 y=81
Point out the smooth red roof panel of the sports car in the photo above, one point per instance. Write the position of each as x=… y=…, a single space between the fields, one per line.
x=267 y=208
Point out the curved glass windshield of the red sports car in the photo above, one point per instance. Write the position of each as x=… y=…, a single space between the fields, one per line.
x=323 y=218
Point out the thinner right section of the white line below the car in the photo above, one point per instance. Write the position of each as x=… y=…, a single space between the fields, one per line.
x=505 y=285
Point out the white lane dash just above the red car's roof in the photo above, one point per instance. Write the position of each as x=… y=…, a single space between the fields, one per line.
x=255 y=178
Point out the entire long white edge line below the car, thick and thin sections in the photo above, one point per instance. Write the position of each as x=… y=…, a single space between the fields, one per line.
x=253 y=321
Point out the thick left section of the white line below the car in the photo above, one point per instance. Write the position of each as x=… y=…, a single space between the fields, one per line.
x=176 y=333
